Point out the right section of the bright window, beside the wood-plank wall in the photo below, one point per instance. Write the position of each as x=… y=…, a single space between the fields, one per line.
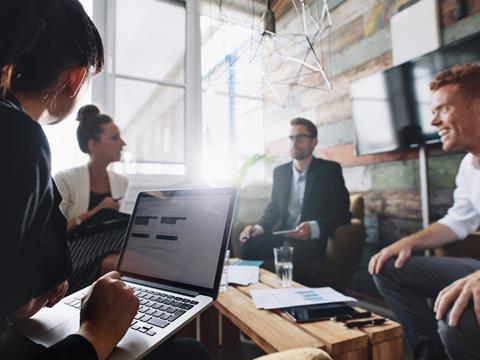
x=232 y=106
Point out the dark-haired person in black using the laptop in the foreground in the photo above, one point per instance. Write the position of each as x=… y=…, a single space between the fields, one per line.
x=47 y=51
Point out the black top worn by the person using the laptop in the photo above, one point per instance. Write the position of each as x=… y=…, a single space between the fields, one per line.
x=34 y=255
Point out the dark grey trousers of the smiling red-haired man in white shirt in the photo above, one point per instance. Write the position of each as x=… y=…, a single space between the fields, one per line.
x=406 y=291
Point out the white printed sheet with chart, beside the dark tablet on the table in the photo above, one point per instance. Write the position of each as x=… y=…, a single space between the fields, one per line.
x=281 y=298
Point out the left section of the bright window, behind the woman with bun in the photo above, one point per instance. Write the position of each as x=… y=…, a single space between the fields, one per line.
x=143 y=87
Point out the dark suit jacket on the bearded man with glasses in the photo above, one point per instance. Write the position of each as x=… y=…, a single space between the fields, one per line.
x=326 y=198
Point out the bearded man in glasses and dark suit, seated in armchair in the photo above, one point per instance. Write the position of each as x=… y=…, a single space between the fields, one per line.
x=308 y=195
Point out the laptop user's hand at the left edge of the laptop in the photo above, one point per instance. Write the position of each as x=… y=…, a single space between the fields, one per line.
x=50 y=298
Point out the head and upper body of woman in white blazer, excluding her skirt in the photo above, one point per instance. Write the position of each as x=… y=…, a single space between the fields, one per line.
x=88 y=189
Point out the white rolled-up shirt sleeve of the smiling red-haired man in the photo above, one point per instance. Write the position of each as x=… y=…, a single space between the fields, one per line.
x=462 y=218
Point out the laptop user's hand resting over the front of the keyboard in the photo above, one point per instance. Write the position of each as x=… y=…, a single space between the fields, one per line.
x=106 y=314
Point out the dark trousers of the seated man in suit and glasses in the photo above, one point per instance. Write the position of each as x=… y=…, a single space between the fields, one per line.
x=304 y=253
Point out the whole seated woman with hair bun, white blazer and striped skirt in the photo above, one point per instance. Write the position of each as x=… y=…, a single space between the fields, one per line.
x=92 y=194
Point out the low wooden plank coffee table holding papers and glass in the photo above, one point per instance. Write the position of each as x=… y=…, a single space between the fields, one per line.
x=272 y=331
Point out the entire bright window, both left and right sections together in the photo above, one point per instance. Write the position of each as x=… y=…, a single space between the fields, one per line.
x=152 y=87
